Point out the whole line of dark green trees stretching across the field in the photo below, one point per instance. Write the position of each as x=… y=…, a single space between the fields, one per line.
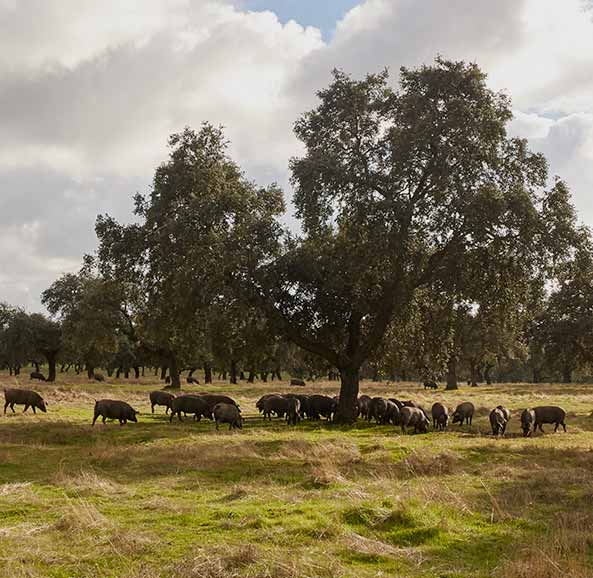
x=430 y=244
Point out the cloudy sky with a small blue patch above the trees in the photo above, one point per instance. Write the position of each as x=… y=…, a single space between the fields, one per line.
x=91 y=89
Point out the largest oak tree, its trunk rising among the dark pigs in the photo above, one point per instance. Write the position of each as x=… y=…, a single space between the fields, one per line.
x=398 y=190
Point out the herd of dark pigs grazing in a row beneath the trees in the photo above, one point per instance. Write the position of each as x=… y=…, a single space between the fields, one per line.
x=295 y=407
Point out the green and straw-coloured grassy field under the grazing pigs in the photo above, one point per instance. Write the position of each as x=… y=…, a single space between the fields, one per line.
x=156 y=499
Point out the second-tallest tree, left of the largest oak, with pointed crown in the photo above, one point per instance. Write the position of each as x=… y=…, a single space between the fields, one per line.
x=201 y=222
